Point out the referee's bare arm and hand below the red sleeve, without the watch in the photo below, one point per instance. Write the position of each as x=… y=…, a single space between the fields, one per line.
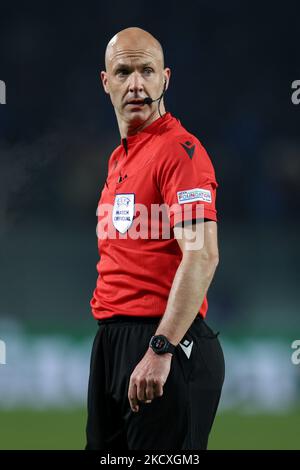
x=200 y=257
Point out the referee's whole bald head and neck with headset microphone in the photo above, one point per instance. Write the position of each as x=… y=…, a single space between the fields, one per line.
x=135 y=70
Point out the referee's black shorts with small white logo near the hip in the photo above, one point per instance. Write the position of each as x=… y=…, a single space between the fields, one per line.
x=181 y=418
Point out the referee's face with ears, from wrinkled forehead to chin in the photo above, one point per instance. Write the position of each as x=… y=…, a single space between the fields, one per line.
x=131 y=76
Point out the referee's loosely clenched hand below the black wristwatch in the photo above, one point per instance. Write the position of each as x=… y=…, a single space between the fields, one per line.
x=148 y=378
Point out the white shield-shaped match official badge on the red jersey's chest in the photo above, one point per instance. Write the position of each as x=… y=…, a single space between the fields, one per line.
x=123 y=212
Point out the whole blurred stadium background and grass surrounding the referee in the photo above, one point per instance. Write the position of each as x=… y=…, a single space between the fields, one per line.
x=232 y=68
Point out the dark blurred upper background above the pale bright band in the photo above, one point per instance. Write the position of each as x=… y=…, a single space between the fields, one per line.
x=232 y=66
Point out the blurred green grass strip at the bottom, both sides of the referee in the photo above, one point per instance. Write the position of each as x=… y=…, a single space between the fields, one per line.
x=56 y=429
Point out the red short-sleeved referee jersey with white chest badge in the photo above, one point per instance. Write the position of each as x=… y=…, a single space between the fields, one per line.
x=162 y=166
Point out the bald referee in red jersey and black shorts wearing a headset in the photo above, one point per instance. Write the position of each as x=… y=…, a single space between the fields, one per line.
x=157 y=368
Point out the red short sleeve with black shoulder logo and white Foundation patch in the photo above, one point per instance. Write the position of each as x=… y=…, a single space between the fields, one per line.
x=186 y=180
